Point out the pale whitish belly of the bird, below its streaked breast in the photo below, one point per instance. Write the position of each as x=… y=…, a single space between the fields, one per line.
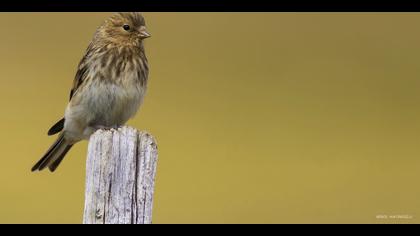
x=101 y=105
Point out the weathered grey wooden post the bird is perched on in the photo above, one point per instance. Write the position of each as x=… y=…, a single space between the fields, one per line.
x=120 y=176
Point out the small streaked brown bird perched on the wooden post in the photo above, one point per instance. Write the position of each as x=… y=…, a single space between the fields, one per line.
x=108 y=88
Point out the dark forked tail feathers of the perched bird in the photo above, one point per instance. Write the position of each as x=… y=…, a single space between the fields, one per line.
x=54 y=155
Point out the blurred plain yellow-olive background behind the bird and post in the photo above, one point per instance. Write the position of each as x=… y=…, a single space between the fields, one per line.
x=259 y=118
